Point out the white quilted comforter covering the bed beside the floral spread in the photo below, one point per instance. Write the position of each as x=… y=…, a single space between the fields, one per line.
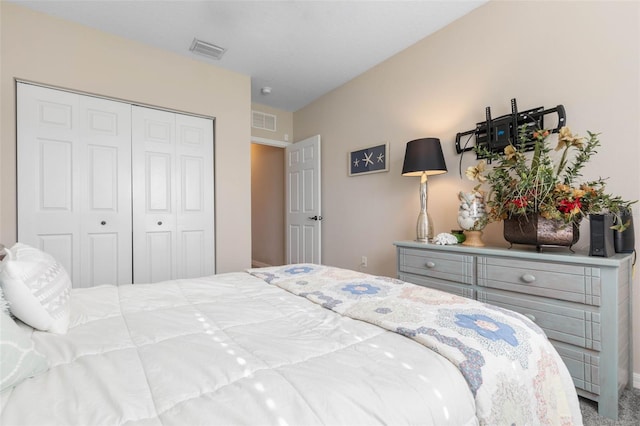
x=231 y=349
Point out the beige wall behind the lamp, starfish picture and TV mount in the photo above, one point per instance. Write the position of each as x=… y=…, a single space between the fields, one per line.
x=584 y=55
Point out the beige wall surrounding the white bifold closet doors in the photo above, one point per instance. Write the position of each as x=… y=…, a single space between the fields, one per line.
x=51 y=51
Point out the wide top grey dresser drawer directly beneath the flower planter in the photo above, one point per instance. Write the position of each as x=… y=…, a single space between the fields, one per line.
x=573 y=283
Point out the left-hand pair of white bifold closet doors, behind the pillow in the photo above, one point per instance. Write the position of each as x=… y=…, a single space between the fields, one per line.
x=74 y=182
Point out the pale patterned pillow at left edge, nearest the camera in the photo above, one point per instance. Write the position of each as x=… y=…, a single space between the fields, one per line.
x=19 y=359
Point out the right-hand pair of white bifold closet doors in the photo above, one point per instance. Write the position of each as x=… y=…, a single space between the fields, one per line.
x=173 y=216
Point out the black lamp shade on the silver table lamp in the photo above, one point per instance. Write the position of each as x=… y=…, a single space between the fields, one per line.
x=424 y=155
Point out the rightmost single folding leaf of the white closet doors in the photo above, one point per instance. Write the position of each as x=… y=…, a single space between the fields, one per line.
x=195 y=216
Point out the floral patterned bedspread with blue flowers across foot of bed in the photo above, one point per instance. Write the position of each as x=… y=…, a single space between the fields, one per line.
x=514 y=373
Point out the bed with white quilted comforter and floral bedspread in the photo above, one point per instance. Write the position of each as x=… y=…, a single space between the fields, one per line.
x=291 y=345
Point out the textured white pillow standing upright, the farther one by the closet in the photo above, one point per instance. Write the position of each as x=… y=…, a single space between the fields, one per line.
x=37 y=288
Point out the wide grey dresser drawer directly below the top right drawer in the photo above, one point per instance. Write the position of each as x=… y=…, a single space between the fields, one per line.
x=561 y=322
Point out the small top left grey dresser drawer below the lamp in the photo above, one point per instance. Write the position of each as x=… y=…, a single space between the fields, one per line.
x=446 y=266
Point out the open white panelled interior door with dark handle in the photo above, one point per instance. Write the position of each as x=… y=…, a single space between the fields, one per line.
x=303 y=210
